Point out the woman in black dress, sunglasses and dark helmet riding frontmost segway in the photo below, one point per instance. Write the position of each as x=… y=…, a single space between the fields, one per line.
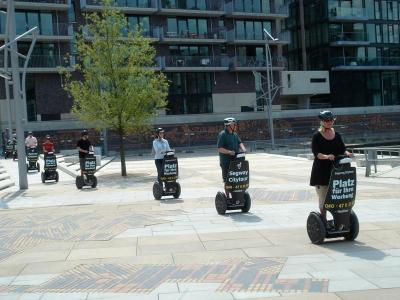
x=326 y=145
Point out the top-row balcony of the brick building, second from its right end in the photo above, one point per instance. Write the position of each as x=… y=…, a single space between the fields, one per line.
x=210 y=8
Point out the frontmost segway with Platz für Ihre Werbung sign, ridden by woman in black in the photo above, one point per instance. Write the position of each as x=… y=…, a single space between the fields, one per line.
x=339 y=201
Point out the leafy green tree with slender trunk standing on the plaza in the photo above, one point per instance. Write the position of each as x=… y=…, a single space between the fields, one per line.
x=120 y=88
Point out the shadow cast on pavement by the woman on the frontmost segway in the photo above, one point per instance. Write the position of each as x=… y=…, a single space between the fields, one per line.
x=355 y=249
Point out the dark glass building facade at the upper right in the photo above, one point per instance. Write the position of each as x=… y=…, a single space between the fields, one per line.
x=358 y=41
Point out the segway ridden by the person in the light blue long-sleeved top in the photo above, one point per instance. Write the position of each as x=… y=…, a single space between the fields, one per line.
x=168 y=185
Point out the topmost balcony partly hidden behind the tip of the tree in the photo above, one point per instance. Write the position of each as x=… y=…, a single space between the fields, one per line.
x=146 y=7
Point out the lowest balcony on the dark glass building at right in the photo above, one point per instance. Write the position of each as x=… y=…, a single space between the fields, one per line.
x=362 y=63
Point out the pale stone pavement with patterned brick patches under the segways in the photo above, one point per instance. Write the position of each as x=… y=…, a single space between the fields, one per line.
x=117 y=242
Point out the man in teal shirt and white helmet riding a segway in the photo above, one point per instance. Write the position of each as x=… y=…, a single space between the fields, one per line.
x=228 y=145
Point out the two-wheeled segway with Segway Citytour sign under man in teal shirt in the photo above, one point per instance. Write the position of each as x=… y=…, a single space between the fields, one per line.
x=237 y=182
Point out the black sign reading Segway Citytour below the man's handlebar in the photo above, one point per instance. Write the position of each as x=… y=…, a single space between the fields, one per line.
x=238 y=176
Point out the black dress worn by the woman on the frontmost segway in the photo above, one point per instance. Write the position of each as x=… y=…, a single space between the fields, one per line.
x=321 y=170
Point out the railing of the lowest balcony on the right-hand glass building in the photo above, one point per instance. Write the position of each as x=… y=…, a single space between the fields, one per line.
x=365 y=62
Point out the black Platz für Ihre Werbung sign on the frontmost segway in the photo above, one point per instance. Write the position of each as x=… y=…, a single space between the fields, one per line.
x=342 y=189
